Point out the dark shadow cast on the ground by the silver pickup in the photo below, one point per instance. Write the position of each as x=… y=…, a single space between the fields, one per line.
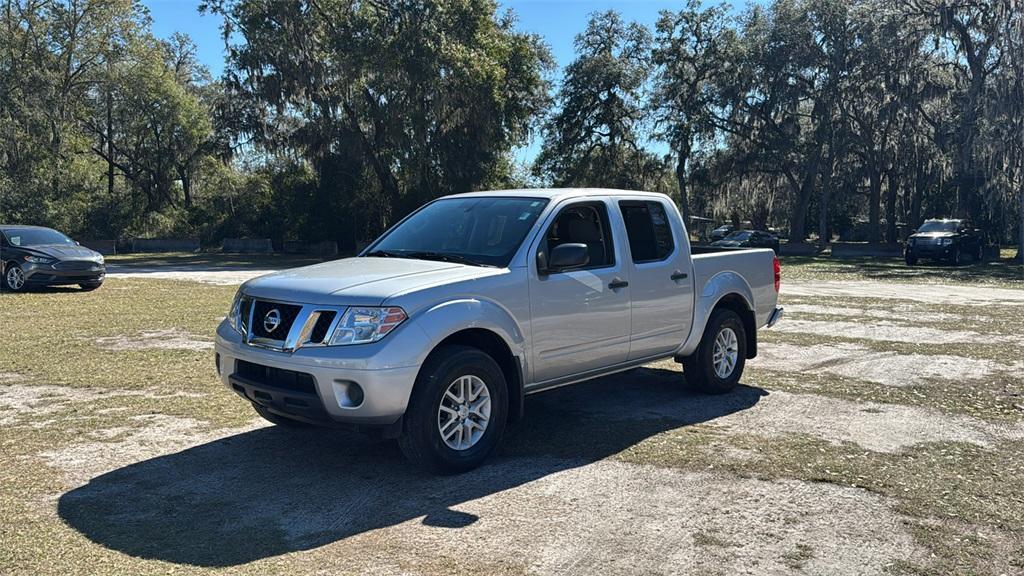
x=274 y=491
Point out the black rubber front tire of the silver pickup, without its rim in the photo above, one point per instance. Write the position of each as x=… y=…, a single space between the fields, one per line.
x=421 y=440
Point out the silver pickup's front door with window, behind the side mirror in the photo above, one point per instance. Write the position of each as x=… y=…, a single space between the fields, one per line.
x=580 y=318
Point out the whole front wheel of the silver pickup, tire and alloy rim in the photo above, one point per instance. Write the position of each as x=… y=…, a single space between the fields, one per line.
x=457 y=414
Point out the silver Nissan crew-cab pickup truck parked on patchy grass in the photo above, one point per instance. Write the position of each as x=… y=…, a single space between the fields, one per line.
x=437 y=333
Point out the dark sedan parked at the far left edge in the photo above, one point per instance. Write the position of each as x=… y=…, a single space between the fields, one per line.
x=34 y=257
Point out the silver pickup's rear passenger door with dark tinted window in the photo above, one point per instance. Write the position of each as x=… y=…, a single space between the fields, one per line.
x=661 y=283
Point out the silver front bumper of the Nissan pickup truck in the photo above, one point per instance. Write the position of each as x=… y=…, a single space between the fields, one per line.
x=385 y=378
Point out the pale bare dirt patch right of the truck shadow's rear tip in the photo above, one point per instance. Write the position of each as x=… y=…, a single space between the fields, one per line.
x=881 y=428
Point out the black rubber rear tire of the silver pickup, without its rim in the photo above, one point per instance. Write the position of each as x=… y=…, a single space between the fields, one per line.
x=700 y=368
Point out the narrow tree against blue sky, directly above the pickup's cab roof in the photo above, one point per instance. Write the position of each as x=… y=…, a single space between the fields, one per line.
x=594 y=138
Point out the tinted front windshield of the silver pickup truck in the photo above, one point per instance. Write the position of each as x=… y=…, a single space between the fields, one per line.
x=476 y=231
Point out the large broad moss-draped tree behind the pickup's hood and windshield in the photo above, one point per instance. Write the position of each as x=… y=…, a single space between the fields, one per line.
x=425 y=97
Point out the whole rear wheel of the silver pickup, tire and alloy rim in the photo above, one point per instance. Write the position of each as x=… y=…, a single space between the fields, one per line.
x=718 y=362
